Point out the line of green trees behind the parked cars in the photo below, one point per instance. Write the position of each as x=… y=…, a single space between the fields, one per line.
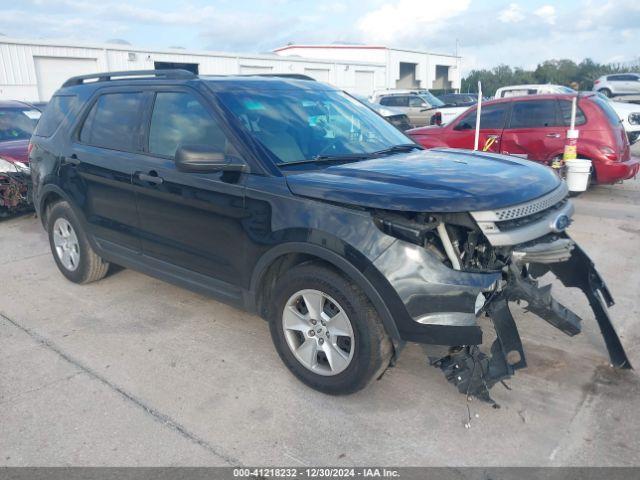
x=579 y=76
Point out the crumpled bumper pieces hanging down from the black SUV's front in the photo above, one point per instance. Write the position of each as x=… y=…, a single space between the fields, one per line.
x=475 y=372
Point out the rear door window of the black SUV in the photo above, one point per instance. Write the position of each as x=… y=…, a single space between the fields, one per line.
x=114 y=122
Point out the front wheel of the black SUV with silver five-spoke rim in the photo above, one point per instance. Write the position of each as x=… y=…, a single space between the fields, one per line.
x=326 y=331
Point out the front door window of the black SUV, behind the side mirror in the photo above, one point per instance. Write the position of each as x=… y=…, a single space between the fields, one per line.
x=179 y=118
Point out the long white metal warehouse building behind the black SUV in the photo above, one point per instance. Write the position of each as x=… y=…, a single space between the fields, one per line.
x=32 y=70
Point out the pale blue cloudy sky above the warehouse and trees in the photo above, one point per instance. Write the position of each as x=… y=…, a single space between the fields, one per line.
x=488 y=33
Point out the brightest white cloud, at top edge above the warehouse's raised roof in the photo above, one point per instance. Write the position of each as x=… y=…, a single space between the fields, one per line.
x=407 y=19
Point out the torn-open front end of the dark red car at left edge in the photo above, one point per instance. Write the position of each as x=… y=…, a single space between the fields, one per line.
x=15 y=187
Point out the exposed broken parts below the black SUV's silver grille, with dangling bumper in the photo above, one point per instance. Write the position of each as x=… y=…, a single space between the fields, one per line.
x=460 y=245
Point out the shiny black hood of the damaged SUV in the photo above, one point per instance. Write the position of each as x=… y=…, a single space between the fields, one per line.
x=439 y=180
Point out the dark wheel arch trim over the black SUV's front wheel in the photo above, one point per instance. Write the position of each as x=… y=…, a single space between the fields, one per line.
x=289 y=254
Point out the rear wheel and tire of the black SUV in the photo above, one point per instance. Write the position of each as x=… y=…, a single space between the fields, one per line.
x=71 y=250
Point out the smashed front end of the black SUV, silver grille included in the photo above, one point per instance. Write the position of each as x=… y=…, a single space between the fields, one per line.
x=519 y=245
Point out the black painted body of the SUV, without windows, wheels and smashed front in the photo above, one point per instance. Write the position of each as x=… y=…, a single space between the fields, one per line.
x=220 y=233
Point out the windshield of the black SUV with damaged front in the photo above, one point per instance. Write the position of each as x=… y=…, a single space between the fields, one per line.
x=299 y=125
